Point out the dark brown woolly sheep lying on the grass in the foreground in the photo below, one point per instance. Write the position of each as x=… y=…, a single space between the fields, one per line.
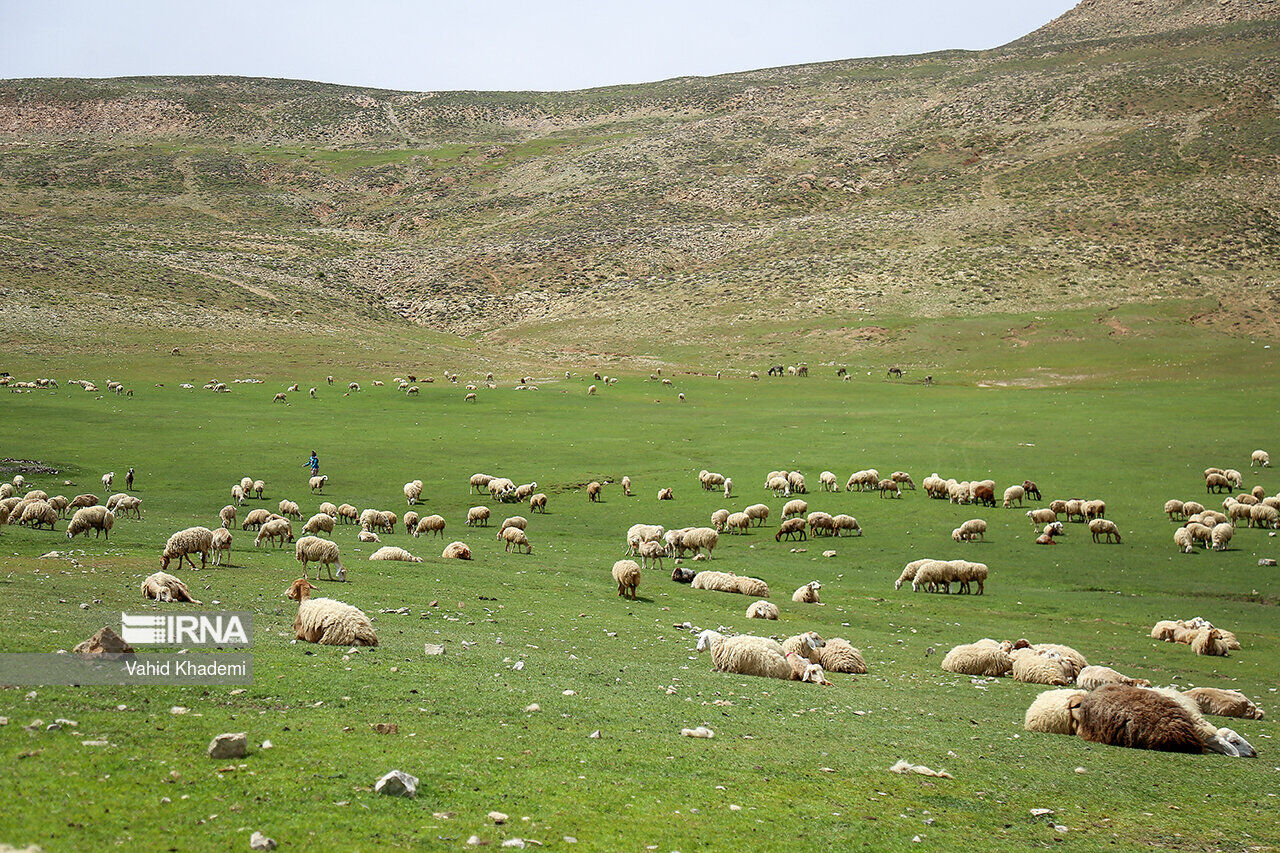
x=1121 y=715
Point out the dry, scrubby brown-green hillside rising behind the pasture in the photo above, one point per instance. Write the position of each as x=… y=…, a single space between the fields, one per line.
x=1126 y=153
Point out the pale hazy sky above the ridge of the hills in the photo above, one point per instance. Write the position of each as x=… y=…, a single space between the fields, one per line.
x=488 y=44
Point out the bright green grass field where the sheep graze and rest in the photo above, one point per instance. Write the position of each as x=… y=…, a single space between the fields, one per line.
x=793 y=767
